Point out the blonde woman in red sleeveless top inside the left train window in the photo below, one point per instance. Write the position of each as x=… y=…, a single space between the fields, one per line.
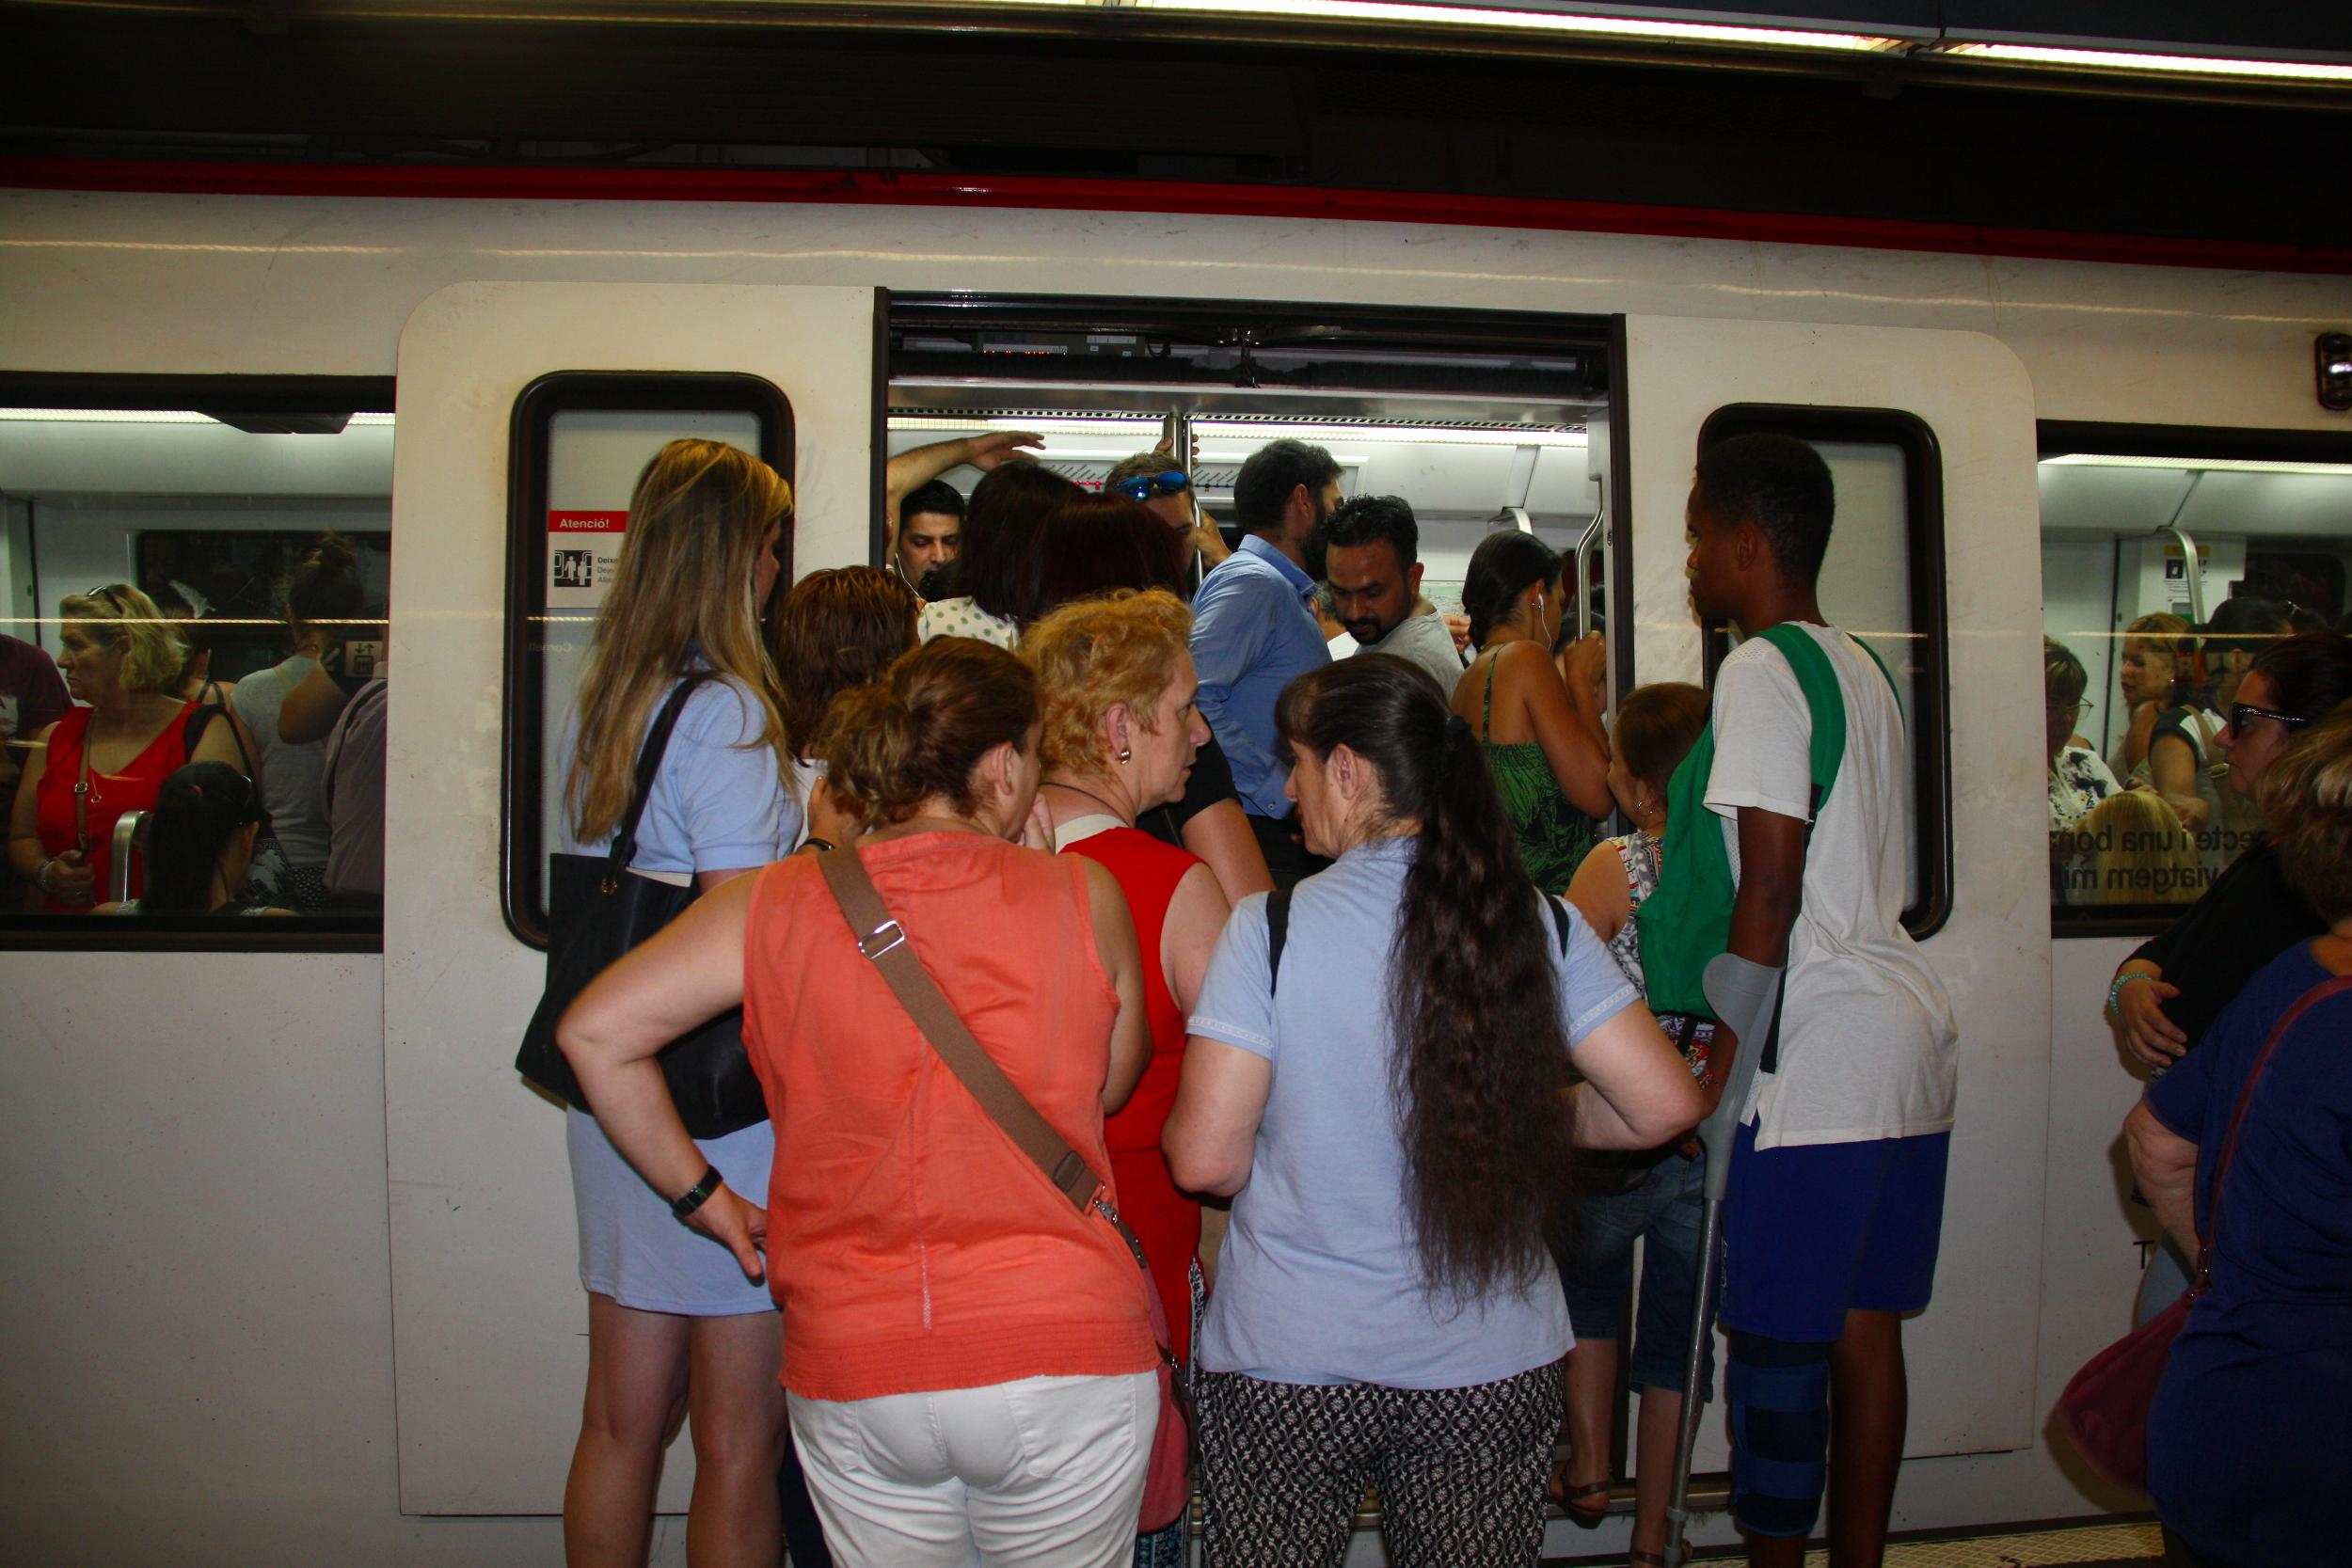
x=123 y=659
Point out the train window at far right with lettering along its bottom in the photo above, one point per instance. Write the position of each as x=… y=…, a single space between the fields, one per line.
x=2170 y=558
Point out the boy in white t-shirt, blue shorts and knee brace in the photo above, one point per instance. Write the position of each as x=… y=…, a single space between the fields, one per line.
x=1836 y=1200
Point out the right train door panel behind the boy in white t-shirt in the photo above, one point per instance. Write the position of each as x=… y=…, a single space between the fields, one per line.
x=1932 y=443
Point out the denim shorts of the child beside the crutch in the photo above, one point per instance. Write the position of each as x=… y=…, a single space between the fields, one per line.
x=1664 y=1214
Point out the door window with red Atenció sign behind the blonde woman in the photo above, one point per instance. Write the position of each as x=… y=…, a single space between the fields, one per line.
x=577 y=445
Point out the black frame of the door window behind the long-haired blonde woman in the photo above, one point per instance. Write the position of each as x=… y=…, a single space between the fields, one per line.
x=530 y=429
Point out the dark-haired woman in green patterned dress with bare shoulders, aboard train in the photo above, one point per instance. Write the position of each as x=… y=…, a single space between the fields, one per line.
x=1539 y=721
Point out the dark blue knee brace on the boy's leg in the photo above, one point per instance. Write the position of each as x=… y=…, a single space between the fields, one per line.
x=1779 y=1395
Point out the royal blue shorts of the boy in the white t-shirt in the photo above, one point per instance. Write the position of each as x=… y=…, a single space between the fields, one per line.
x=1831 y=1228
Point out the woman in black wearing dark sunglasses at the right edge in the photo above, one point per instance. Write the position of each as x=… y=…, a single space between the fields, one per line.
x=2170 y=991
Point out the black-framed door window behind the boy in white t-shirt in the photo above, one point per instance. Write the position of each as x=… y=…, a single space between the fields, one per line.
x=1883 y=582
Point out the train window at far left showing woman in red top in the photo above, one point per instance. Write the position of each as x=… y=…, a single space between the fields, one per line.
x=192 y=570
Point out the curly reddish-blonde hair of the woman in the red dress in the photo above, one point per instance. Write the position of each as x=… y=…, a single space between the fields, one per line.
x=1095 y=655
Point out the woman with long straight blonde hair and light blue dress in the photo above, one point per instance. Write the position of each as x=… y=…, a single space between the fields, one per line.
x=671 y=1320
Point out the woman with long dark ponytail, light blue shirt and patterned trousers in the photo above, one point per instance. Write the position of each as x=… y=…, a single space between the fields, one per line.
x=1389 y=1308
